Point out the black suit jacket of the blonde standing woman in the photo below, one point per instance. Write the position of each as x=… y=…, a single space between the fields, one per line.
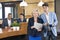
x=33 y=32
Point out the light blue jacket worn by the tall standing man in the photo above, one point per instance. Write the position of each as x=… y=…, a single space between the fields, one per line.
x=52 y=19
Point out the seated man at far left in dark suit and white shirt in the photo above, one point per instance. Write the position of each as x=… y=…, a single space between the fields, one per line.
x=7 y=21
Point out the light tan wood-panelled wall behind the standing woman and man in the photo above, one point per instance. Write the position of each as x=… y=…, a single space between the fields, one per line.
x=32 y=4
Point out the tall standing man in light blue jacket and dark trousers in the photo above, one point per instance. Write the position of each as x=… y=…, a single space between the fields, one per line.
x=50 y=23
